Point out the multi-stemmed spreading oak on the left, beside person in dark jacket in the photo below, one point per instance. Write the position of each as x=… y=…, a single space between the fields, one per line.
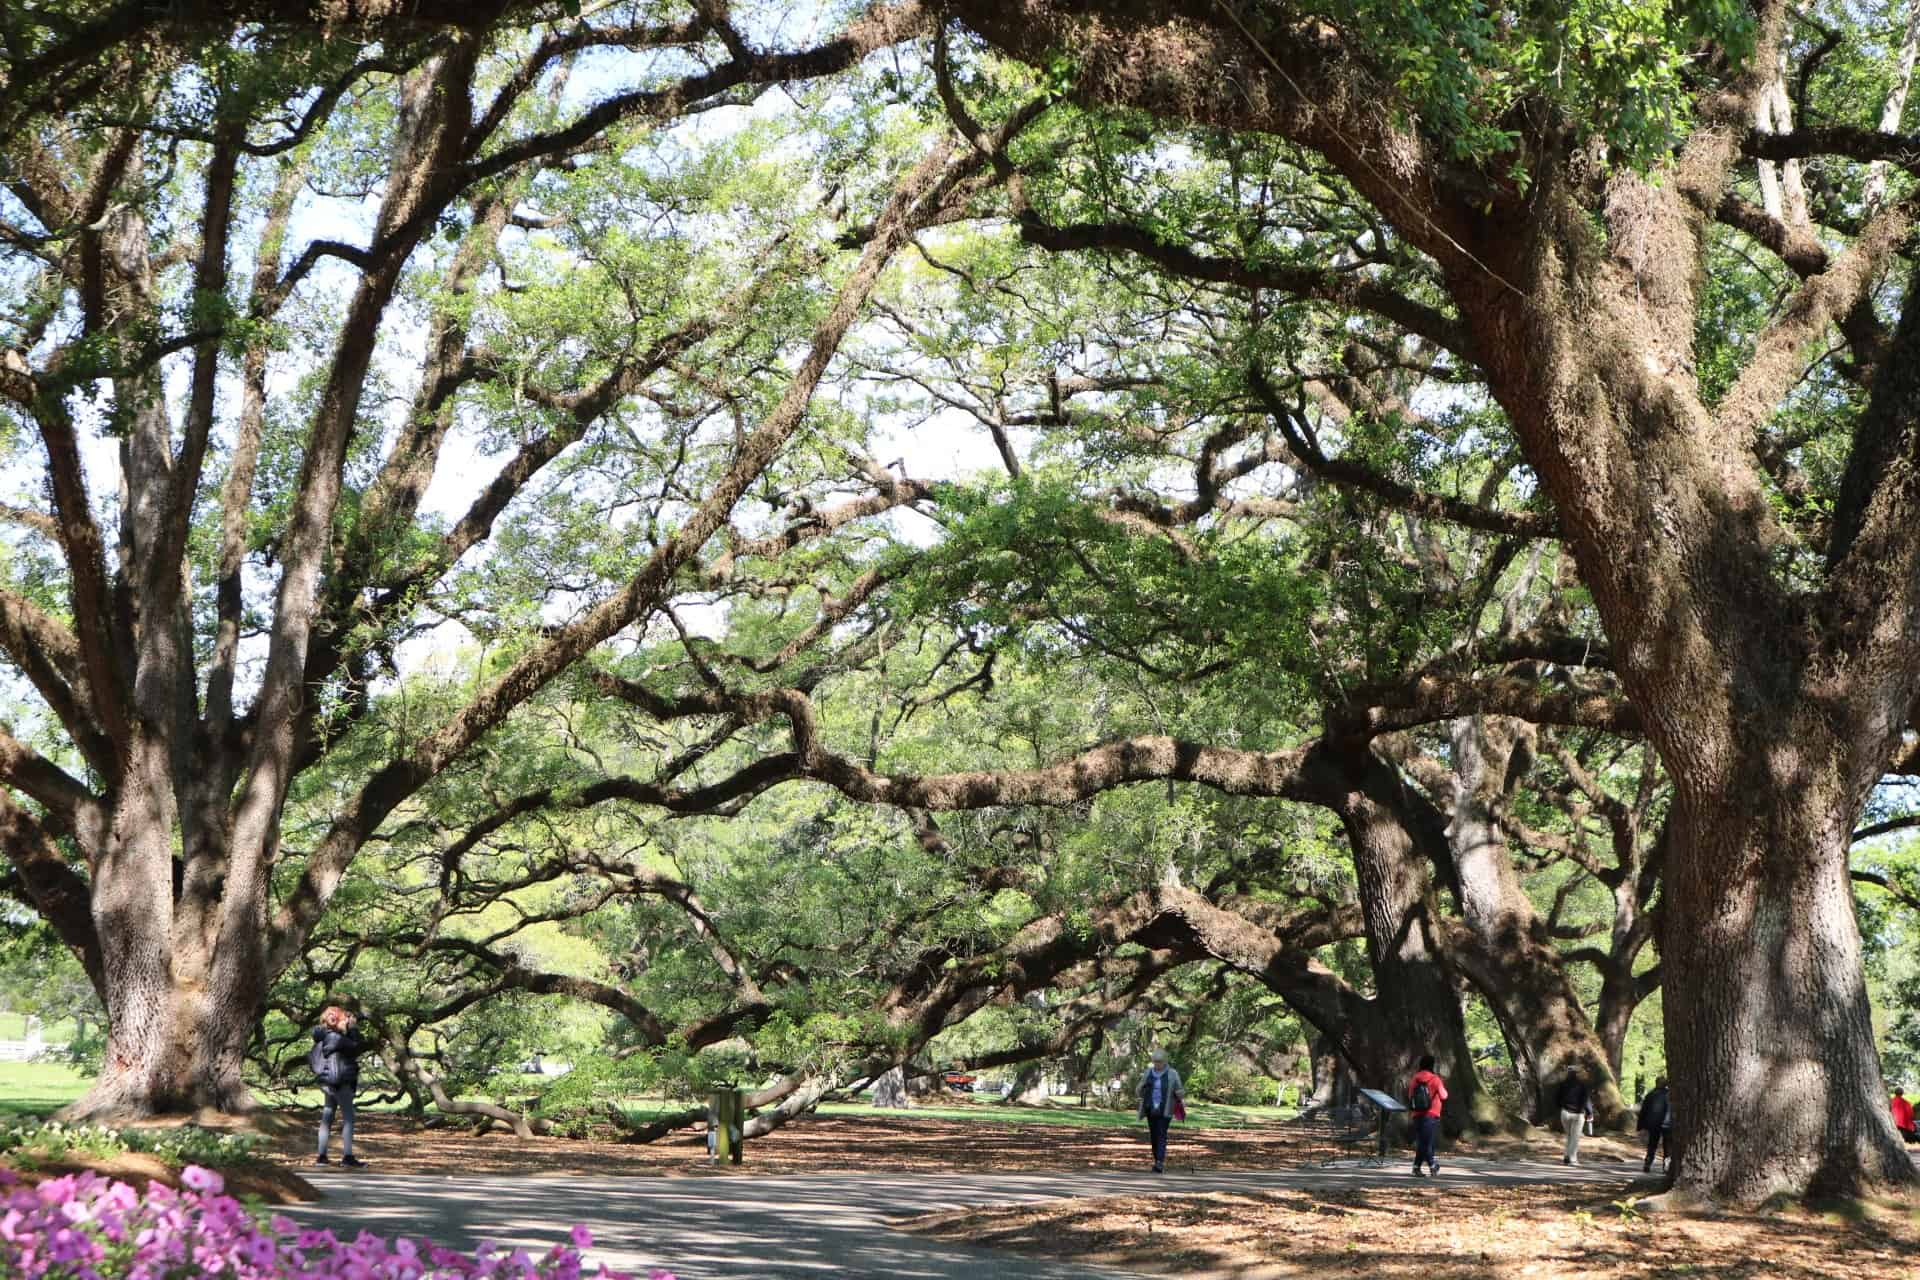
x=214 y=569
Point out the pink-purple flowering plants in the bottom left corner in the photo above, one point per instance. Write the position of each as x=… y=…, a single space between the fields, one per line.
x=87 y=1227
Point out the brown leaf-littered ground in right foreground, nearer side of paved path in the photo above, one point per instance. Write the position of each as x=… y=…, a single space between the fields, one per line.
x=1439 y=1231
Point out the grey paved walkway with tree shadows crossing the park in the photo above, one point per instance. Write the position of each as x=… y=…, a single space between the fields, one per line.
x=802 y=1225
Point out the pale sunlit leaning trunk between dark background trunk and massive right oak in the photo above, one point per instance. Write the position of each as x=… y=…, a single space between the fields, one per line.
x=1506 y=951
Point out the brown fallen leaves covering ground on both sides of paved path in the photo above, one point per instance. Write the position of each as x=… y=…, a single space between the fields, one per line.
x=1420 y=1231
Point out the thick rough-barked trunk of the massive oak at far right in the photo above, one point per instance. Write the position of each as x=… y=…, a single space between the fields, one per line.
x=1771 y=732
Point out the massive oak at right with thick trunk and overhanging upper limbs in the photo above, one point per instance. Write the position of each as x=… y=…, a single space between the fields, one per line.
x=1568 y=224
